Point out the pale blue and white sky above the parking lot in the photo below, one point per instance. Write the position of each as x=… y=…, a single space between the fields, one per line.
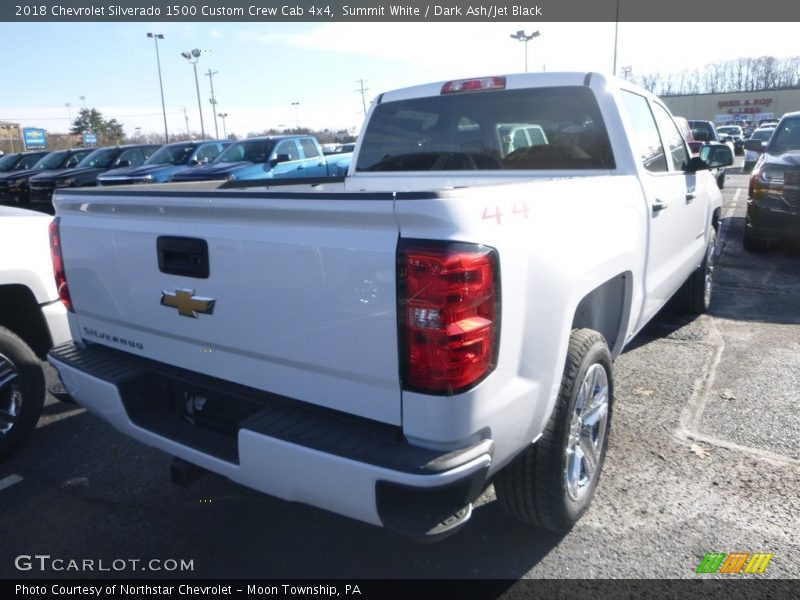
x=263 y=68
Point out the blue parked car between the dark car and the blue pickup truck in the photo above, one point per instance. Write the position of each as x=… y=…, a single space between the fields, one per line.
x=164 y=162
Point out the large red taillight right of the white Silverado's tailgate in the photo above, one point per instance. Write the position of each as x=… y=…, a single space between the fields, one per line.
x=449 y=303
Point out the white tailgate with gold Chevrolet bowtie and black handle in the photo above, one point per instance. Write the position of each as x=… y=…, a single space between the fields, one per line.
x=299 y=298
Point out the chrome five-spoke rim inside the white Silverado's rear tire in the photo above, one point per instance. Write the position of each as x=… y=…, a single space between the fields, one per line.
x=587 y=432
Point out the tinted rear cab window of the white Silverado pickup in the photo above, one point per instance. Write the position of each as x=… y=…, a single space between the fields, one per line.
x=530 y=129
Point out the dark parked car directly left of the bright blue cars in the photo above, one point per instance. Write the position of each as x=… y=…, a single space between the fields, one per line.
x=85 y=173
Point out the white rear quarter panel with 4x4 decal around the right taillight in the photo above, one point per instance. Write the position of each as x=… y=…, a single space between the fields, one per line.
x=557 y=240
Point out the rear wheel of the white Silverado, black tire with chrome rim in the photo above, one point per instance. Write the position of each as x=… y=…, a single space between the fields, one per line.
x=536 y=486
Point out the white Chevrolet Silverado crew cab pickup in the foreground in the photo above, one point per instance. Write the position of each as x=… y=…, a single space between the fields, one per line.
x=386 y=345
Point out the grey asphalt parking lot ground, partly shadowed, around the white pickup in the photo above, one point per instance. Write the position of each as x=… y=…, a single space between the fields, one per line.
x=703 y=457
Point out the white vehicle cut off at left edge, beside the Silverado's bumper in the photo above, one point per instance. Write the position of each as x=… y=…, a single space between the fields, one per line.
x=32 y=320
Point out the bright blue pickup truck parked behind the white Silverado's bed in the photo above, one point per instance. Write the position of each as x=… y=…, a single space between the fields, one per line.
x=281 y=156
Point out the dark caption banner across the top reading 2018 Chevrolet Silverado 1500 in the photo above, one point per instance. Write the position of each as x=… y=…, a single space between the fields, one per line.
x=710 y=11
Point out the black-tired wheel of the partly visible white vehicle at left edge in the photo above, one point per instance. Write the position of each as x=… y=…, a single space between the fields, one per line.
x=22 y=391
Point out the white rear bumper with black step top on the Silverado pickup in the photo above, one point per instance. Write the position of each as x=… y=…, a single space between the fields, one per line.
x=353 y=467
